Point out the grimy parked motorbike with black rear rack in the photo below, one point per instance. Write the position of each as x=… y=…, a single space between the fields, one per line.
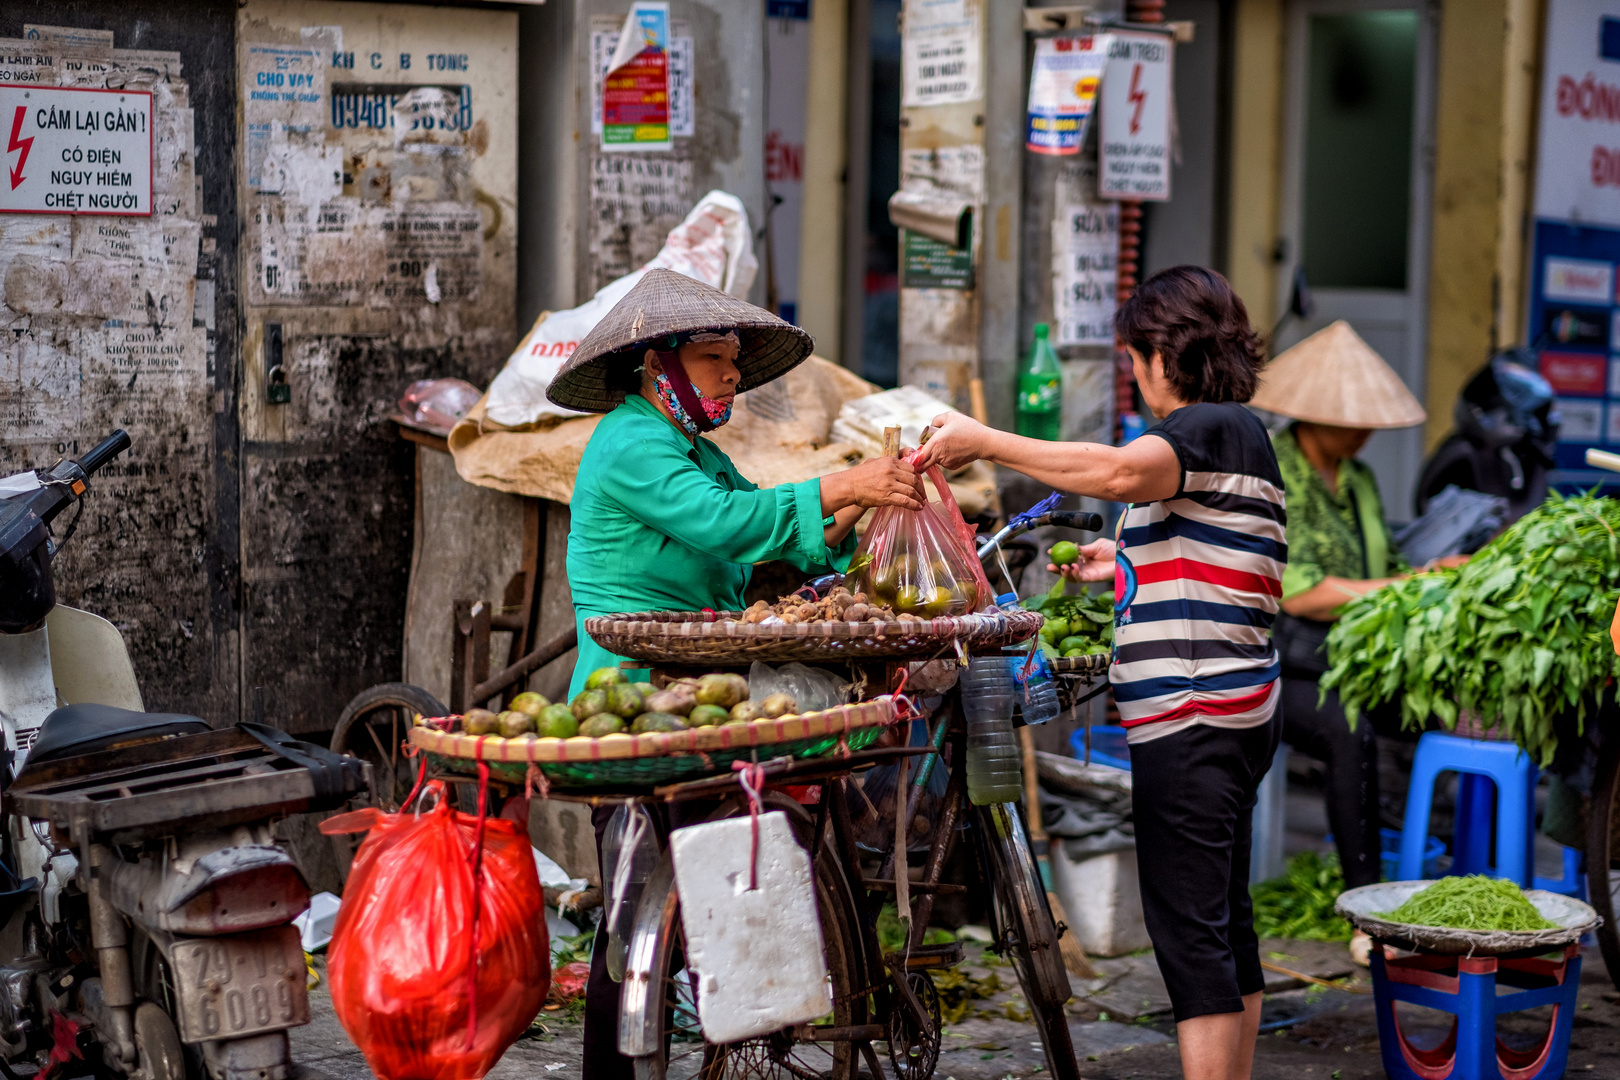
x=147 y=908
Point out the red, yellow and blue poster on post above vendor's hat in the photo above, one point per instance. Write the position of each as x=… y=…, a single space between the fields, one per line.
x=636 y=91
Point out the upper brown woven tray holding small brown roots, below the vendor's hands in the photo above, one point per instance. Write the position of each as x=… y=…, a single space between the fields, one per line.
x=725 y=639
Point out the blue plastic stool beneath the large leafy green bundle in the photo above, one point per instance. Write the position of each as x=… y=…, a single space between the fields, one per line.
x=1481 y=765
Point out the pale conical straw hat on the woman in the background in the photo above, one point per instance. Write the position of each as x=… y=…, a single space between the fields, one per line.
x=1336 y=378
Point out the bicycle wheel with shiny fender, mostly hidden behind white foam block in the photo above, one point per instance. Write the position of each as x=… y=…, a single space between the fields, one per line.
x=660 y=1013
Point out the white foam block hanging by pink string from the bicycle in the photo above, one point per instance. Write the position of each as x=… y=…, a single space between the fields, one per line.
x=757 y=955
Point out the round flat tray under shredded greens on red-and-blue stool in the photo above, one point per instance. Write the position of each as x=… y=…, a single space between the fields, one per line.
x=1365 y=906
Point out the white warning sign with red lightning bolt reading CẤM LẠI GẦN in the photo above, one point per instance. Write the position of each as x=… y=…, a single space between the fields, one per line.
x=77 y=151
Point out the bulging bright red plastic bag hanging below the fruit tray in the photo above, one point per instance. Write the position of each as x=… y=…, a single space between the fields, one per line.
x=399 y=963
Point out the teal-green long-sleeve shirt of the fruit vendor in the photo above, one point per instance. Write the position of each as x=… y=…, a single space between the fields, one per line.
x=662 y=524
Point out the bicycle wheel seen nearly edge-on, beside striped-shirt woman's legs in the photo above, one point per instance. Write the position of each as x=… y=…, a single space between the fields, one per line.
x=1026 y=929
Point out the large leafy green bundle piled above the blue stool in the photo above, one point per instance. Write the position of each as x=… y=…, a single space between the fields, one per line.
x=1517 y=637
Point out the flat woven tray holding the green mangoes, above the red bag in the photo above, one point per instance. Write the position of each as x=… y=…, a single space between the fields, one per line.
x=659 y=757
